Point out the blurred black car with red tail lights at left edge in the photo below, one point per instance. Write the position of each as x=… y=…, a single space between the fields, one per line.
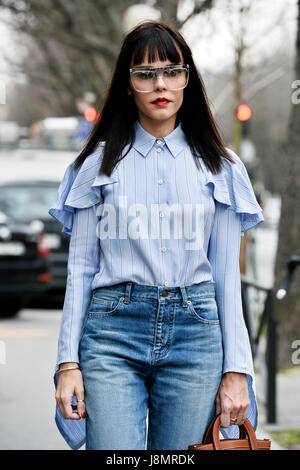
x=24 y=265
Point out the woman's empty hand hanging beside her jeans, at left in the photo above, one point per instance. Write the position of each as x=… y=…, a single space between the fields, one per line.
x=70 y=383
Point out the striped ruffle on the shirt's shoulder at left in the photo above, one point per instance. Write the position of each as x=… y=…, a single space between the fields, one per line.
x=80 y=188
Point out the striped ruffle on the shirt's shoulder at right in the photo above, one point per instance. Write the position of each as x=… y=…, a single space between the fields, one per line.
x=232 y=186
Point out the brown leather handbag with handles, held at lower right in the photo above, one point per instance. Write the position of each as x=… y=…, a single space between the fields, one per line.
x=212 y=441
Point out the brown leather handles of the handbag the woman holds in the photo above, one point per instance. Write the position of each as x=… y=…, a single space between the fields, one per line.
x=212 y=433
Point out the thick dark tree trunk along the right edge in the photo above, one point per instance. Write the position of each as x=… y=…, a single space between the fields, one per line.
x=288 y=309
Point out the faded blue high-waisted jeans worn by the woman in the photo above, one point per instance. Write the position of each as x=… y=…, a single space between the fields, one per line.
x=146 y=347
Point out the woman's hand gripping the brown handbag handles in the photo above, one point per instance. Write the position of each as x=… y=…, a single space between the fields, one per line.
x=232 y=399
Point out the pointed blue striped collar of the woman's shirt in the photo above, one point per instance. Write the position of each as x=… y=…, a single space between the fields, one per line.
x=144 y=141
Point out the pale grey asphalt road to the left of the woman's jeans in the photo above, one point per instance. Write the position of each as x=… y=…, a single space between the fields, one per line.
x=27 y=393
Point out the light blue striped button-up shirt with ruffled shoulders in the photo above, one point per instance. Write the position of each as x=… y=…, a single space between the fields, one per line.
x=157 y=220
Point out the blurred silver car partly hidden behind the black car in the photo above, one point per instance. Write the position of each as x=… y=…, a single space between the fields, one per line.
x=27 y=202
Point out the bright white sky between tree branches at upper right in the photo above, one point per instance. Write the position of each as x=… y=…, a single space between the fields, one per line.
x=269 y=28
